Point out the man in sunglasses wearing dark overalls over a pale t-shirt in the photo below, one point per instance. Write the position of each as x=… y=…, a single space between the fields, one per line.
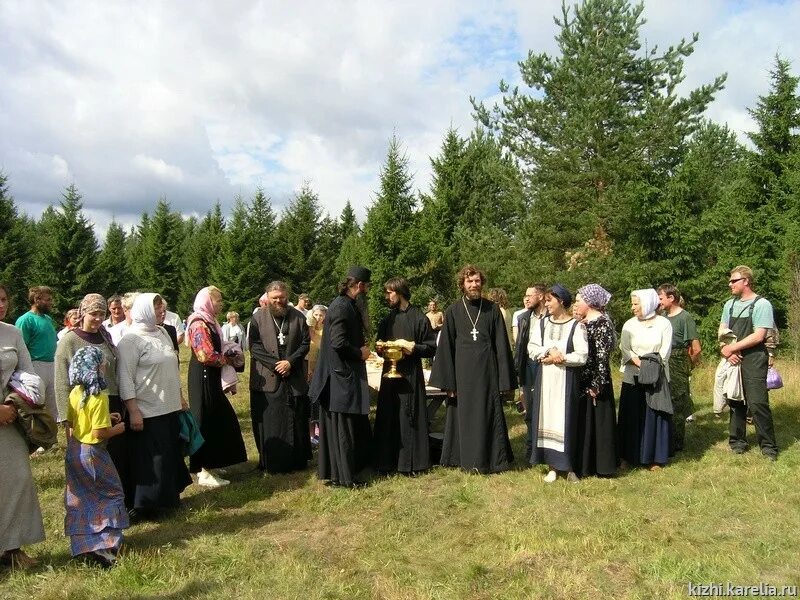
x=749 y=316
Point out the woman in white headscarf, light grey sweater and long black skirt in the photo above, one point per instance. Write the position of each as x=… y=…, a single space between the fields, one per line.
x=149 y=383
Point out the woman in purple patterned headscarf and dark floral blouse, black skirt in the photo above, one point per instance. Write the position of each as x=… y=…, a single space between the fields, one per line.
x=597 y=425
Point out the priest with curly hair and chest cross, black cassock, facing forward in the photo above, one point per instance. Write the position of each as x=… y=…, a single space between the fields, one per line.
x=473 y=365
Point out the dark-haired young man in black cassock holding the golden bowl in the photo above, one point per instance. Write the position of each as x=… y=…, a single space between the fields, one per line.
x=401 y=422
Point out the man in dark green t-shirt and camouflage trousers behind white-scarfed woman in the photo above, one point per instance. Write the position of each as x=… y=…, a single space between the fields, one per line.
x=685 y=353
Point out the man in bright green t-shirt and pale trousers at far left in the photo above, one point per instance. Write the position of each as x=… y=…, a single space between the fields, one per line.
x=39 y=332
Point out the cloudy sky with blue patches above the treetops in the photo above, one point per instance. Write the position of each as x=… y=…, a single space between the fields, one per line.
x=201 y=101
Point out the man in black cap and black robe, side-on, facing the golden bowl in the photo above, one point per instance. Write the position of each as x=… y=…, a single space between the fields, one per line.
x=340 y=386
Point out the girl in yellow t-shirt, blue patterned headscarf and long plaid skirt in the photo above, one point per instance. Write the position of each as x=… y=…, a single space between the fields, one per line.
x=94 y=499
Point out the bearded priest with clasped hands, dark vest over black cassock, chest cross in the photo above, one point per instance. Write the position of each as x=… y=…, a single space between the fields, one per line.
x=279 y=404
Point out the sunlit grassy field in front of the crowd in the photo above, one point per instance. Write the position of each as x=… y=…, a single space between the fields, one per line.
x=709 y=517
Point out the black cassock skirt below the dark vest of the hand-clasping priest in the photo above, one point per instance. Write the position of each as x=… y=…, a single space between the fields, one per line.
x=280 y=428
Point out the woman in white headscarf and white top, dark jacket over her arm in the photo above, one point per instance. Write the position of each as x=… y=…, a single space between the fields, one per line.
x=643 y=432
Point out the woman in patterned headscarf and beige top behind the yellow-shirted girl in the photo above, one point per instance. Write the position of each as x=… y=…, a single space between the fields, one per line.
x=91 y=332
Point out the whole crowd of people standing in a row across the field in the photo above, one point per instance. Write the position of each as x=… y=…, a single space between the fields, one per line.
x=114 y=386
